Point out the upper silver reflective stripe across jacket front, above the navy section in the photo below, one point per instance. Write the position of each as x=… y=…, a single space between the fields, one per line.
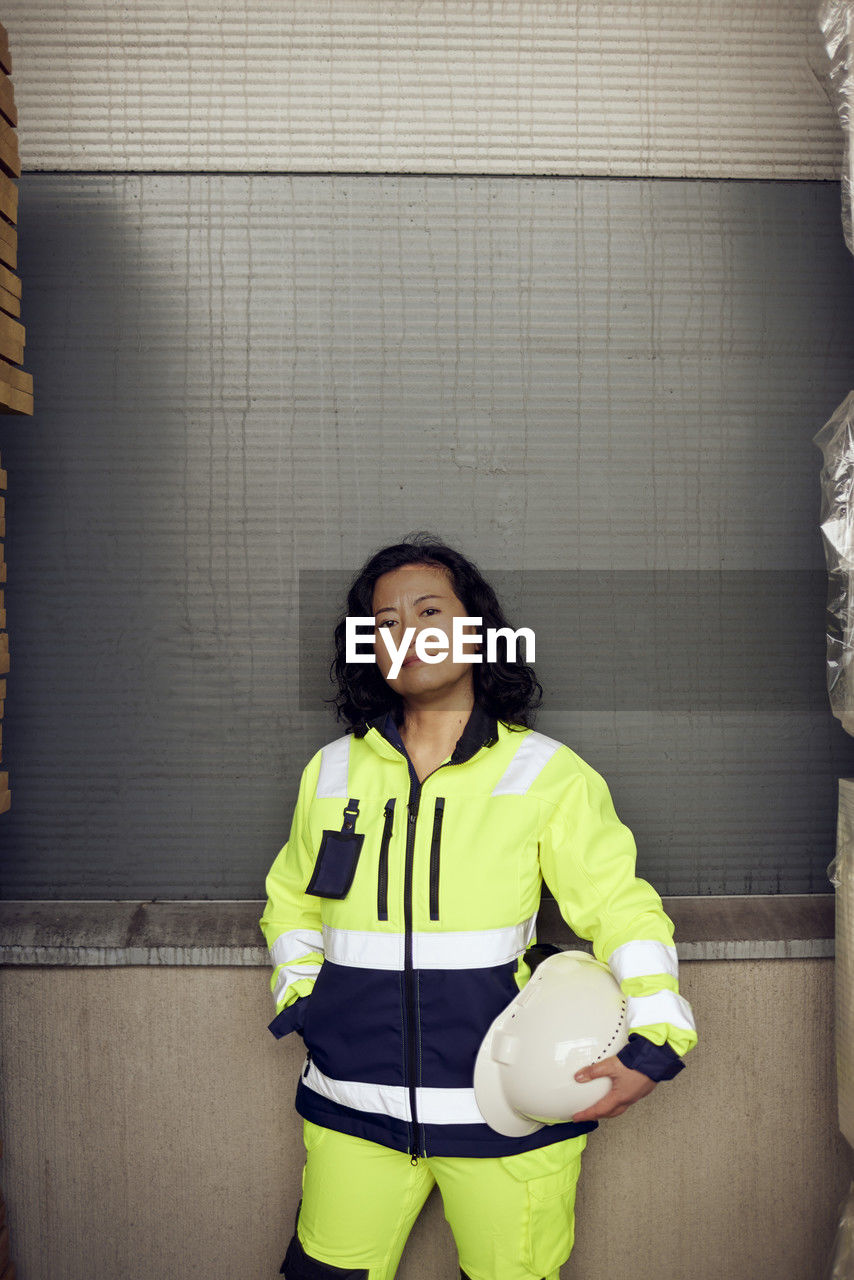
x=478 y=949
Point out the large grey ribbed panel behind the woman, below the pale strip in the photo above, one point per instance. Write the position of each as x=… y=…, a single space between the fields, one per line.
x=243 y=378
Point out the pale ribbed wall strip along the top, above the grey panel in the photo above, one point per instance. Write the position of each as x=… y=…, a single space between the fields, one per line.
x=522 y=88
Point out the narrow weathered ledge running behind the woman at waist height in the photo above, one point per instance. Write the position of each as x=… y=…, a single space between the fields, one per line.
x=205 y=932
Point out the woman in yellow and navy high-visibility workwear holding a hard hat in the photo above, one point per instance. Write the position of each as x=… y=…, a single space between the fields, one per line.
x=399 y=918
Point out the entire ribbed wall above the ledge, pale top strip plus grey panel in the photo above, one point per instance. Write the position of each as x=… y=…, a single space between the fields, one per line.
x=250 y=377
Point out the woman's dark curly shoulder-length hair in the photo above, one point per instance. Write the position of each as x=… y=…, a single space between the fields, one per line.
x=510 y=692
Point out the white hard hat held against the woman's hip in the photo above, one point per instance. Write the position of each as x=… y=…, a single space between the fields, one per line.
x=570 y=1014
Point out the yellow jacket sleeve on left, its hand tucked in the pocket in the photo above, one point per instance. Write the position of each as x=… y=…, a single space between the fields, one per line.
x=291 y=920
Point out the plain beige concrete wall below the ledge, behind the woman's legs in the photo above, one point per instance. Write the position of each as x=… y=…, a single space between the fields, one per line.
x=150 y=1132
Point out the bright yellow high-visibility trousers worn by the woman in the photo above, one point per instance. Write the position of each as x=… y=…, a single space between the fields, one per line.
x=513 y=1218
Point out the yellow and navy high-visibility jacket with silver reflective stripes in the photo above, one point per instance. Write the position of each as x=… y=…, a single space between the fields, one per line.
x=403 y=912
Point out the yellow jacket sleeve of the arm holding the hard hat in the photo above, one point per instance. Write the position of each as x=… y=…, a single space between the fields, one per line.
x=588 y=861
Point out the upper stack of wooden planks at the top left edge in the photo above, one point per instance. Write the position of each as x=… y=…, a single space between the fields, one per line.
x=16 y=386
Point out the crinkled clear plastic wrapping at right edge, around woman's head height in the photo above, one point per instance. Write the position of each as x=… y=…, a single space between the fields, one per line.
x=837 y=442
